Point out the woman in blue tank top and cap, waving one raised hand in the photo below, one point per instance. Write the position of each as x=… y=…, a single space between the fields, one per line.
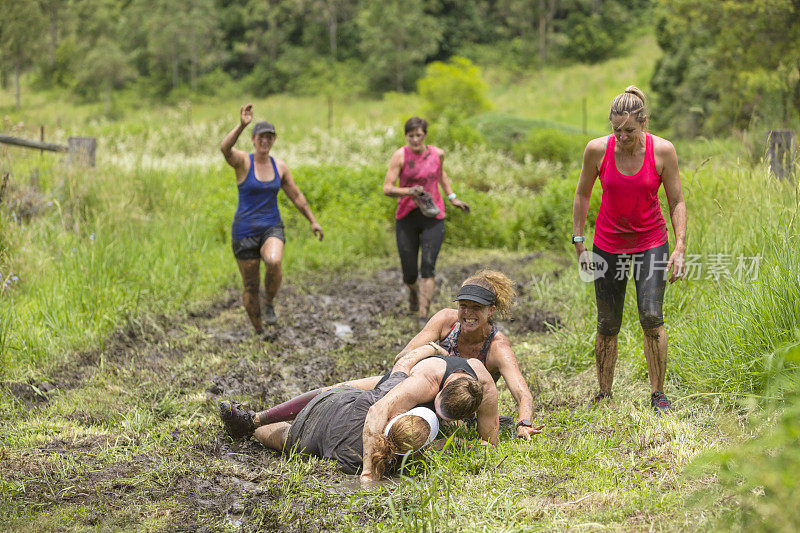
x=257 y=229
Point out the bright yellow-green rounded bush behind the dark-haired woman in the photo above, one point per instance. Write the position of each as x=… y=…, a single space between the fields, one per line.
x=453 y=90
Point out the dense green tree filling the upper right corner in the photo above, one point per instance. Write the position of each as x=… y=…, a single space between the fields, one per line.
x=727 y=64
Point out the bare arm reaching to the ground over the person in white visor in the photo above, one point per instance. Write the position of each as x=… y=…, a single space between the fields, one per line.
x=416 y=389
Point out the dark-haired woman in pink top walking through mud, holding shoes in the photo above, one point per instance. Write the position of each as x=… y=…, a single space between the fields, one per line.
x=414 y=177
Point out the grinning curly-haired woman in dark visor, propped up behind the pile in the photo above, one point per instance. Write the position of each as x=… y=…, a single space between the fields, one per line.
x=469 y=332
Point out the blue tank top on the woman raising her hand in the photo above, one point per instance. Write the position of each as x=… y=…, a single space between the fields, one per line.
x=258 y=204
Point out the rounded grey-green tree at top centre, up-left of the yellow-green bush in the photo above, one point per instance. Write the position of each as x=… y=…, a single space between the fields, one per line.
x=397 y=37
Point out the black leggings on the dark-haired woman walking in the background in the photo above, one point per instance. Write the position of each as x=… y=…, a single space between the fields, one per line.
x=413 y=231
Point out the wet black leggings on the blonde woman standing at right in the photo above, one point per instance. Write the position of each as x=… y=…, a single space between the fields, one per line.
x=650 y=275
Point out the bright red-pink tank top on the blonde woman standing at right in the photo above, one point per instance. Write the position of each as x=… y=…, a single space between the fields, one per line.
x=630 y=217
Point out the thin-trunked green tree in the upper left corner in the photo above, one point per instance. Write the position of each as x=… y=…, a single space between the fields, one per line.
x=22 y=24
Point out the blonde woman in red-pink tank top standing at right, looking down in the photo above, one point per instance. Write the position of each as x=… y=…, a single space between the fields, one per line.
x=630 y=238
